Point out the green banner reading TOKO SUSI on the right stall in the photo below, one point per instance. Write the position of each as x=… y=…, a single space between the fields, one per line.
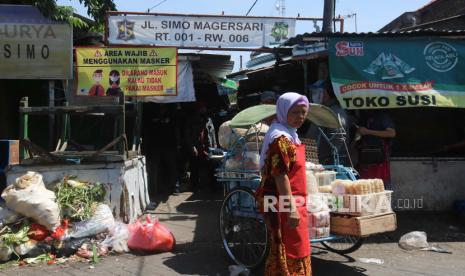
x=398 y=72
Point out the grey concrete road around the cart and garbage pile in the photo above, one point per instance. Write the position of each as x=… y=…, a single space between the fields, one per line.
x=194 y=221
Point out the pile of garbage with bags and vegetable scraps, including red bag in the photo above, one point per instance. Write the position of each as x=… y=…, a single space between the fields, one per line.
x=38 y=225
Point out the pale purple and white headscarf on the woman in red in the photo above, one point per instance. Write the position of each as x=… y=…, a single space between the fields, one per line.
x=279 y=126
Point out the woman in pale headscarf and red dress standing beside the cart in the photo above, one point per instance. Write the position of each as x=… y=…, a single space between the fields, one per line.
x=282 y=163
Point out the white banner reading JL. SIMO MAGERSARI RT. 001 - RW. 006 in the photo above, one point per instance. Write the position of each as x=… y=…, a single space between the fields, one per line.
x=198 y=30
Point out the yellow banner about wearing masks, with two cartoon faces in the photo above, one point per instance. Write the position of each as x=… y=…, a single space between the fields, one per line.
x=134 y=71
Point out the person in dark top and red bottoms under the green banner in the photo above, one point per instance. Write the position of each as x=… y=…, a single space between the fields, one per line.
x=376 y=130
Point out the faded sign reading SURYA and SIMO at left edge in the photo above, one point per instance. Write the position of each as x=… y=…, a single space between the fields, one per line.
x=35 y=51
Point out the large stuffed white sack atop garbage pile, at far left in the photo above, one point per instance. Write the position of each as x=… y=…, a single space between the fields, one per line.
x=29 y=197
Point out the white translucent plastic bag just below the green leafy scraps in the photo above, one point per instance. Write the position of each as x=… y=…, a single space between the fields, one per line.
x=101 y=221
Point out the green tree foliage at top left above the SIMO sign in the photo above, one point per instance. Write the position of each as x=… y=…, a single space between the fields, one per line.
x=95 y=8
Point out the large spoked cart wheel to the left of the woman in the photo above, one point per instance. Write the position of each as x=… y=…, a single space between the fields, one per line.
x=242 y=228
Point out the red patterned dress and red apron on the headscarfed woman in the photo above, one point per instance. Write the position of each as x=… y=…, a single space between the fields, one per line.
x=289 y=248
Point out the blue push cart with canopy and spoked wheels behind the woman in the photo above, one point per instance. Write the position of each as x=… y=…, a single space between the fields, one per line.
x=242 y=228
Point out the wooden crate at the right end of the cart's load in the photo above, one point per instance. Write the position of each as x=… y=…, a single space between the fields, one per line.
x=363 y=226
